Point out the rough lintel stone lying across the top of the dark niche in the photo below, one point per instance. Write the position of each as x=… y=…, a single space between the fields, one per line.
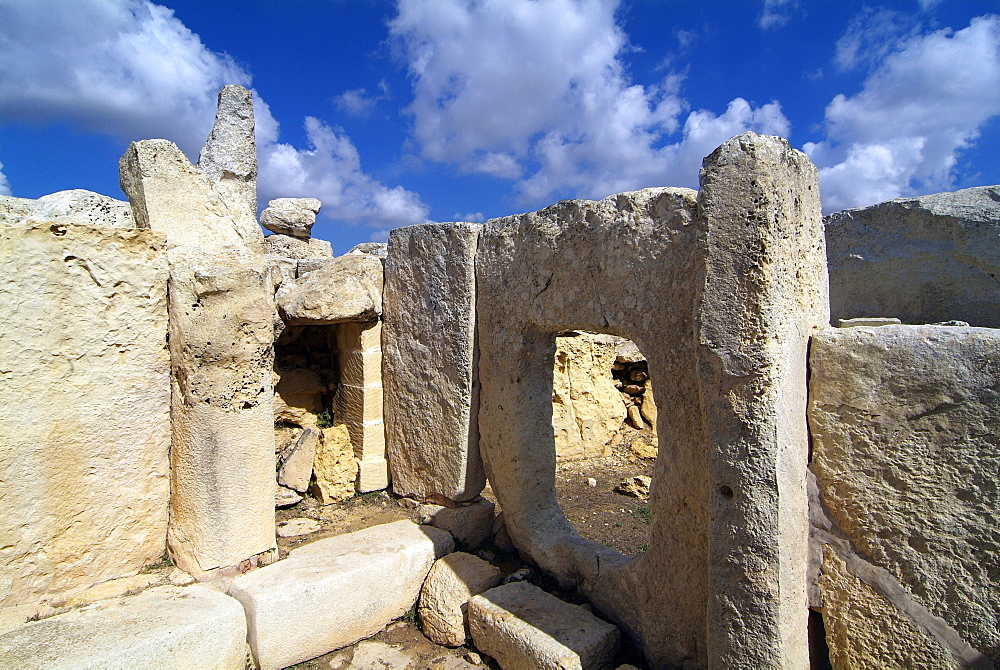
x=347 y=289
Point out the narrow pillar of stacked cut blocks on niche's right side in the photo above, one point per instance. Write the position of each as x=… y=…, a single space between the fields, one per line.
x=359 y=400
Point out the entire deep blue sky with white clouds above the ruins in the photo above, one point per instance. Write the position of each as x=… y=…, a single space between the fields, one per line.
x=394 y=113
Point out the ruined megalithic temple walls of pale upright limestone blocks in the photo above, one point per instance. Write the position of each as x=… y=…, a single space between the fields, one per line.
x=170 y=375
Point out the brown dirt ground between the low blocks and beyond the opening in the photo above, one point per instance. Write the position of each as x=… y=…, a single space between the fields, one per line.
x=596 y=511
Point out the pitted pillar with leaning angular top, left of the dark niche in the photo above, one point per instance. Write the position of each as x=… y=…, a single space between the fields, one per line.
x=221 y=346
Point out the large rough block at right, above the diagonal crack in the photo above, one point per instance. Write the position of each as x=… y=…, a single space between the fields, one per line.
x=903 y=422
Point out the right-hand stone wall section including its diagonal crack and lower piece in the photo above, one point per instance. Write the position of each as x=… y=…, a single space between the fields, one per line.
x=904 y=423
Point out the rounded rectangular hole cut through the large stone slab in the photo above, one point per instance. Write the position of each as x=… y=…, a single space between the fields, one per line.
x=604 y=420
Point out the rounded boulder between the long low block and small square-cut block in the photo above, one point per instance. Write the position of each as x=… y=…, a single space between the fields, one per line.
x=451 y=582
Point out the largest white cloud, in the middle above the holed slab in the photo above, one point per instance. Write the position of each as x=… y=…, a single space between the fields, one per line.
x=535 y=91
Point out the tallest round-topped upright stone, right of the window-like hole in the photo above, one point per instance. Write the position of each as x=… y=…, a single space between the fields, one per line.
x=764 y=294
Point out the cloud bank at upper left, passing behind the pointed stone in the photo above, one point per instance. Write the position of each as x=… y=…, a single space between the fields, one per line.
x=131 y=69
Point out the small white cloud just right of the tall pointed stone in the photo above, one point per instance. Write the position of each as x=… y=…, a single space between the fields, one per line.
x=331 y=171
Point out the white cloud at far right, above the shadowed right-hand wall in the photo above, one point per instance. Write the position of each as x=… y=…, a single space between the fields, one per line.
x=918 y=109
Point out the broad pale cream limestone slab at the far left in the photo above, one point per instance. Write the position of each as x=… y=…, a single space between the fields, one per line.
x=85 y=429
